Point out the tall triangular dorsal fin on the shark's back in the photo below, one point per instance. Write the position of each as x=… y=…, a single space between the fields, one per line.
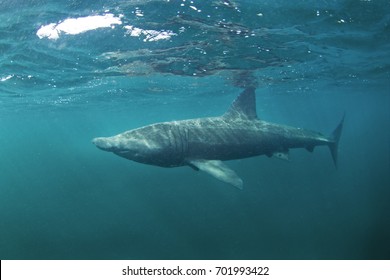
x=244 y=107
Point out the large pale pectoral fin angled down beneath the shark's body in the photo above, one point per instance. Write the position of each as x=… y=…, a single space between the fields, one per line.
x=219 y=170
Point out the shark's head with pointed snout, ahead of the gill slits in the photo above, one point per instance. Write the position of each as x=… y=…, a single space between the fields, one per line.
x=134 y=145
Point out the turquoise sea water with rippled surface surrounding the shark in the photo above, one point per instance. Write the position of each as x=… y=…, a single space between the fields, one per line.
x=311 y=61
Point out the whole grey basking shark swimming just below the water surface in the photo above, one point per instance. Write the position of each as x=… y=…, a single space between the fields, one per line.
x=204 y=143
